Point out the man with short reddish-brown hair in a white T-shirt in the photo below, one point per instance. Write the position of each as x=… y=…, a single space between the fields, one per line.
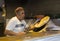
x=17 y=24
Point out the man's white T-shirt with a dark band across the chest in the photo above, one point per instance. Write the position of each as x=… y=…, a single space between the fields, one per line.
x=15 y=25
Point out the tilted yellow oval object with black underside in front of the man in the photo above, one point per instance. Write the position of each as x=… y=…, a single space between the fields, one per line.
x=41 y=26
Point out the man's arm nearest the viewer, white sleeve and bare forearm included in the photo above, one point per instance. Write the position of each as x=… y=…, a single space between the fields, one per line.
x=9 y=29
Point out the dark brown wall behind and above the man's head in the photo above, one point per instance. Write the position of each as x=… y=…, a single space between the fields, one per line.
x=34 y=7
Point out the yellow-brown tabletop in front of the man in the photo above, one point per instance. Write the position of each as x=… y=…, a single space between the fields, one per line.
x=30 y=36
